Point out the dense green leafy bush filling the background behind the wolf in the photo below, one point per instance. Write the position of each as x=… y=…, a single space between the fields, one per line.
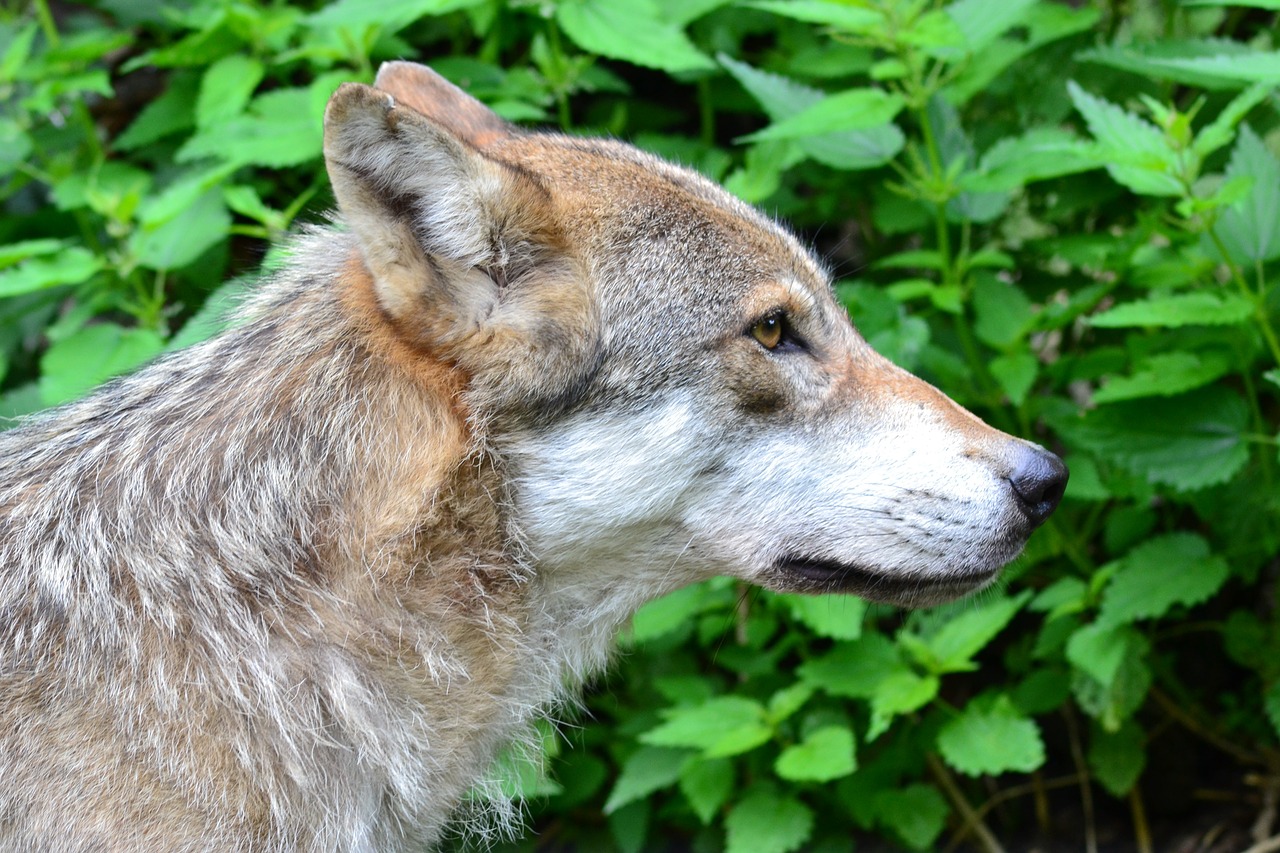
x=1068 y=218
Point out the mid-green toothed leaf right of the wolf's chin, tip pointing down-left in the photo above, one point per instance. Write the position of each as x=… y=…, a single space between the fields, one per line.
x=1173 y=569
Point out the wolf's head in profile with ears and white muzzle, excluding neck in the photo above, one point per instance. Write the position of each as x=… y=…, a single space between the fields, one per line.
x=662 y=371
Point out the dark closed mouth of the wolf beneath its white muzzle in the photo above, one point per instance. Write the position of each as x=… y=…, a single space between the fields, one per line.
x=831 y=576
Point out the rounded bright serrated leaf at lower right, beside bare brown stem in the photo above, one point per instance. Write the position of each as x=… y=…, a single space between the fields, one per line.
x=991 y=738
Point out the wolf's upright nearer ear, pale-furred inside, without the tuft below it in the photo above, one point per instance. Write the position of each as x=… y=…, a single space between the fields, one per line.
x=438 y=223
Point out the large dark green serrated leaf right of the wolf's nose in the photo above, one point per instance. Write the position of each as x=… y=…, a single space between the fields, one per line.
x=1190 y=443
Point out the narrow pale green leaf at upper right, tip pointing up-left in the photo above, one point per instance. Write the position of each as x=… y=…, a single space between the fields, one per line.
x=1135 y=152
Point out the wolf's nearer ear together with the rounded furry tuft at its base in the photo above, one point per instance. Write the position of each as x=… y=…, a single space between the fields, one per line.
x=464 y=252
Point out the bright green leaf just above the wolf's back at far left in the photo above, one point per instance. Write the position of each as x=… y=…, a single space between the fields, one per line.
x=90 y=357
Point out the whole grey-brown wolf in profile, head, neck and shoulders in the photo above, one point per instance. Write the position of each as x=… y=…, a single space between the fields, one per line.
x=292 y=589
